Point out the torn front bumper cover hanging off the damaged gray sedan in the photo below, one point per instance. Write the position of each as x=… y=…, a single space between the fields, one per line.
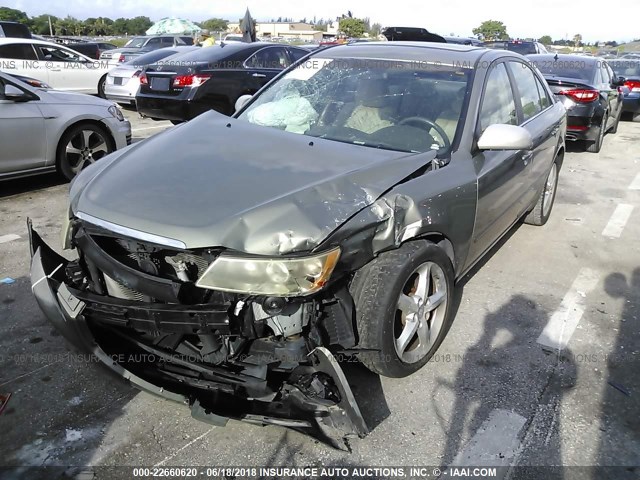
x=214 y=393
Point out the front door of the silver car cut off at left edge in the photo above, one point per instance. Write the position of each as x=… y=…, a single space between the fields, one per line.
x=22 y=134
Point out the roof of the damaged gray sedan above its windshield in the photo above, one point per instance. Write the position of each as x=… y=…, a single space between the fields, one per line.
x=413 y=51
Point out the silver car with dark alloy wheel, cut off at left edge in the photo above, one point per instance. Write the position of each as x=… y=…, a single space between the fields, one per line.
x=46 y=130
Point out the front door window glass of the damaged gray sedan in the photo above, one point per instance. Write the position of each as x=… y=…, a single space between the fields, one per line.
x=498 y=105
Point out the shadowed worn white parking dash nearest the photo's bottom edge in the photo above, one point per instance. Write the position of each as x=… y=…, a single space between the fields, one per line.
x=495 y=444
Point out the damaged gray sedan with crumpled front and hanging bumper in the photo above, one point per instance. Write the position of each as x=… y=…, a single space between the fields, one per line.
x=229 y=263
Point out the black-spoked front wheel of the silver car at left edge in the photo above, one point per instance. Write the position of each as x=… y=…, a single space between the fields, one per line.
x=82 y=145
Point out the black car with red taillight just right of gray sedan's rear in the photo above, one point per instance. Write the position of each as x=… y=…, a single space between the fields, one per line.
x=589 y=90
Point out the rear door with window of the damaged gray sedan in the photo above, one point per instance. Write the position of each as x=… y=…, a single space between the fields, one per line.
x=542 y=122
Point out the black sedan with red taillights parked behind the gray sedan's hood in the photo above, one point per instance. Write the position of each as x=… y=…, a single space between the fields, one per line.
x=210 y=78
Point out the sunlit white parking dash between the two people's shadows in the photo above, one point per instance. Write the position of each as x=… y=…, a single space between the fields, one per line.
x=565 y=319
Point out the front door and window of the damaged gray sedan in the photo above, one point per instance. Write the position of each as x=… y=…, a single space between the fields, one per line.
x=501 y=173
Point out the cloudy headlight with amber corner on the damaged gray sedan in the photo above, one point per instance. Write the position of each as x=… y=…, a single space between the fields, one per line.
x=284 y=277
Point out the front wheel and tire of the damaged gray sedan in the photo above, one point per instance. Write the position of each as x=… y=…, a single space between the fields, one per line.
x=403 y=302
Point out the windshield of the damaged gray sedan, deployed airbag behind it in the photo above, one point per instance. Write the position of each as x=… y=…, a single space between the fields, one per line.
x=389 y=104
